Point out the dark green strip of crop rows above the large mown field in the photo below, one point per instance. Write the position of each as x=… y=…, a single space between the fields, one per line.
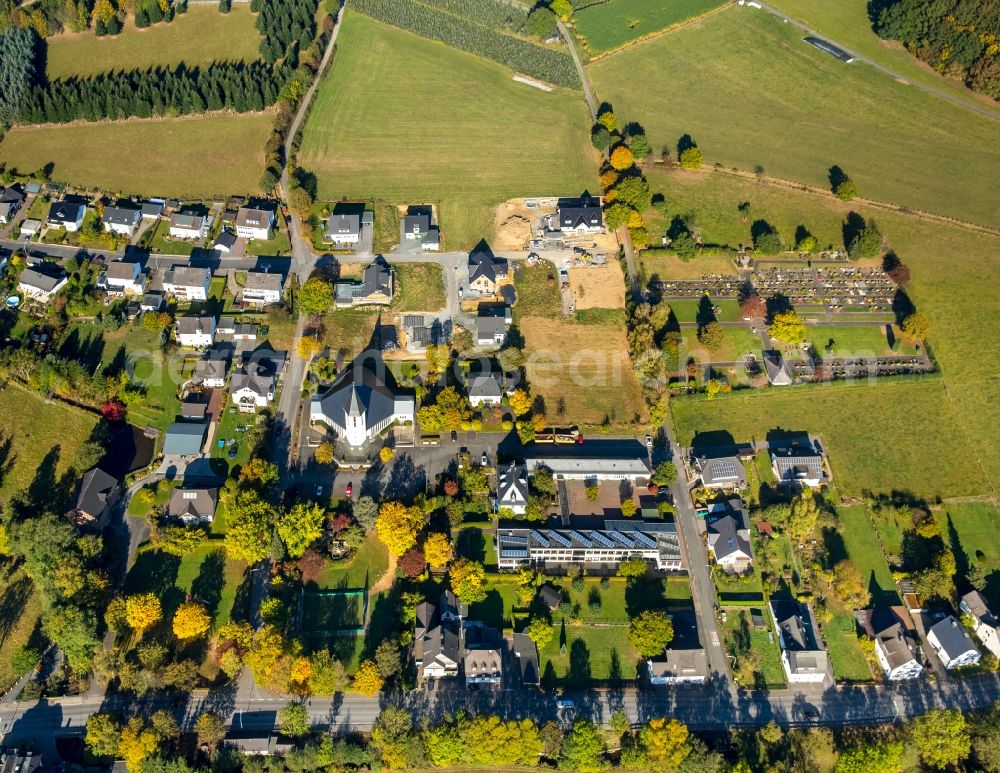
x=545 y=64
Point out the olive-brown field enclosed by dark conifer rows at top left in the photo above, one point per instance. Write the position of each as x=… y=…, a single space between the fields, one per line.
x=196 y=38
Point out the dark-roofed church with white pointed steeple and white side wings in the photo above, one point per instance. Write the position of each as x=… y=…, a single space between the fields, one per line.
x=363 y=401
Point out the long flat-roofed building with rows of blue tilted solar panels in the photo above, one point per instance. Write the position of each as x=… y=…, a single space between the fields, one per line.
x=555 y=549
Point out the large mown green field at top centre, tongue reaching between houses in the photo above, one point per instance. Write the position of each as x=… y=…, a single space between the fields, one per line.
x=407 y=120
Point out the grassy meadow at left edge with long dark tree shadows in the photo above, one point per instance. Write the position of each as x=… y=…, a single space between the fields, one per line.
x=37 y=444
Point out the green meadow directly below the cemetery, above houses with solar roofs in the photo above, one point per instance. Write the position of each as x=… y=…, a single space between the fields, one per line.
x=871 y=442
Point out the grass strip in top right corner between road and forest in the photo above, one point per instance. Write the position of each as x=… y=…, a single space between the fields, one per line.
x=847 y=22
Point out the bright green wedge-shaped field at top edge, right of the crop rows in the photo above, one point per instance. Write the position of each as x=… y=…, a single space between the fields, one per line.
x=611 y=24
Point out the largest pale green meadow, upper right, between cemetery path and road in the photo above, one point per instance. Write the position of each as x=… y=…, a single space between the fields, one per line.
x=881 y=126
